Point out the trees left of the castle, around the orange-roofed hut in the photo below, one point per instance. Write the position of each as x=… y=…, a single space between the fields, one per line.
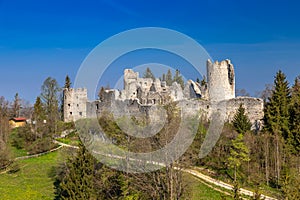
x=45 y=122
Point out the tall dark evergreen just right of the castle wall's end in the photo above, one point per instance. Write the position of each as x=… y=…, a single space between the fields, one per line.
x=277 y=108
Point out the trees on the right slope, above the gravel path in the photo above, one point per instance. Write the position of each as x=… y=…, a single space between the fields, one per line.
x=269 y=157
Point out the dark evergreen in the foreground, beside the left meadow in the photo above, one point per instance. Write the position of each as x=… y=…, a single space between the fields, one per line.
x=78 y=183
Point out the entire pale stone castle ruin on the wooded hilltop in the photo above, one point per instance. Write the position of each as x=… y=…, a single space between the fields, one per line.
x=140 y=94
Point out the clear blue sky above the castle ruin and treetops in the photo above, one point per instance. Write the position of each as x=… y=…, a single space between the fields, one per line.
x=51 y=38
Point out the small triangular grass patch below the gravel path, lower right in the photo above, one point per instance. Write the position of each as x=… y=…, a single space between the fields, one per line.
x=198 y=190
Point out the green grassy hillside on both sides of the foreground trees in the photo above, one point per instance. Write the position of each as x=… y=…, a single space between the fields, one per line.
x=34 y=180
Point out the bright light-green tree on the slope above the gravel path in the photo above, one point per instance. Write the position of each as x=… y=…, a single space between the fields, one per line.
x=239 y=153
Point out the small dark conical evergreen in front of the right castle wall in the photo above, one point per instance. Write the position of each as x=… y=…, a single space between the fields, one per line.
x=241 y=122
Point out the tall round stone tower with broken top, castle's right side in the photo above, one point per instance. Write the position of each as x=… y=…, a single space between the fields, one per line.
x=220 y=80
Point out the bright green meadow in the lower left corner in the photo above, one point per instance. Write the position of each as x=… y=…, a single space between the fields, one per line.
x=33 y=181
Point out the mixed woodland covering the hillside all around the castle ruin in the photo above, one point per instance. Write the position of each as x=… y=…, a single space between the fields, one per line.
x=266 y=161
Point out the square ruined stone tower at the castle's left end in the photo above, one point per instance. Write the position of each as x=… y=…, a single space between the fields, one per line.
x=75 y=104
